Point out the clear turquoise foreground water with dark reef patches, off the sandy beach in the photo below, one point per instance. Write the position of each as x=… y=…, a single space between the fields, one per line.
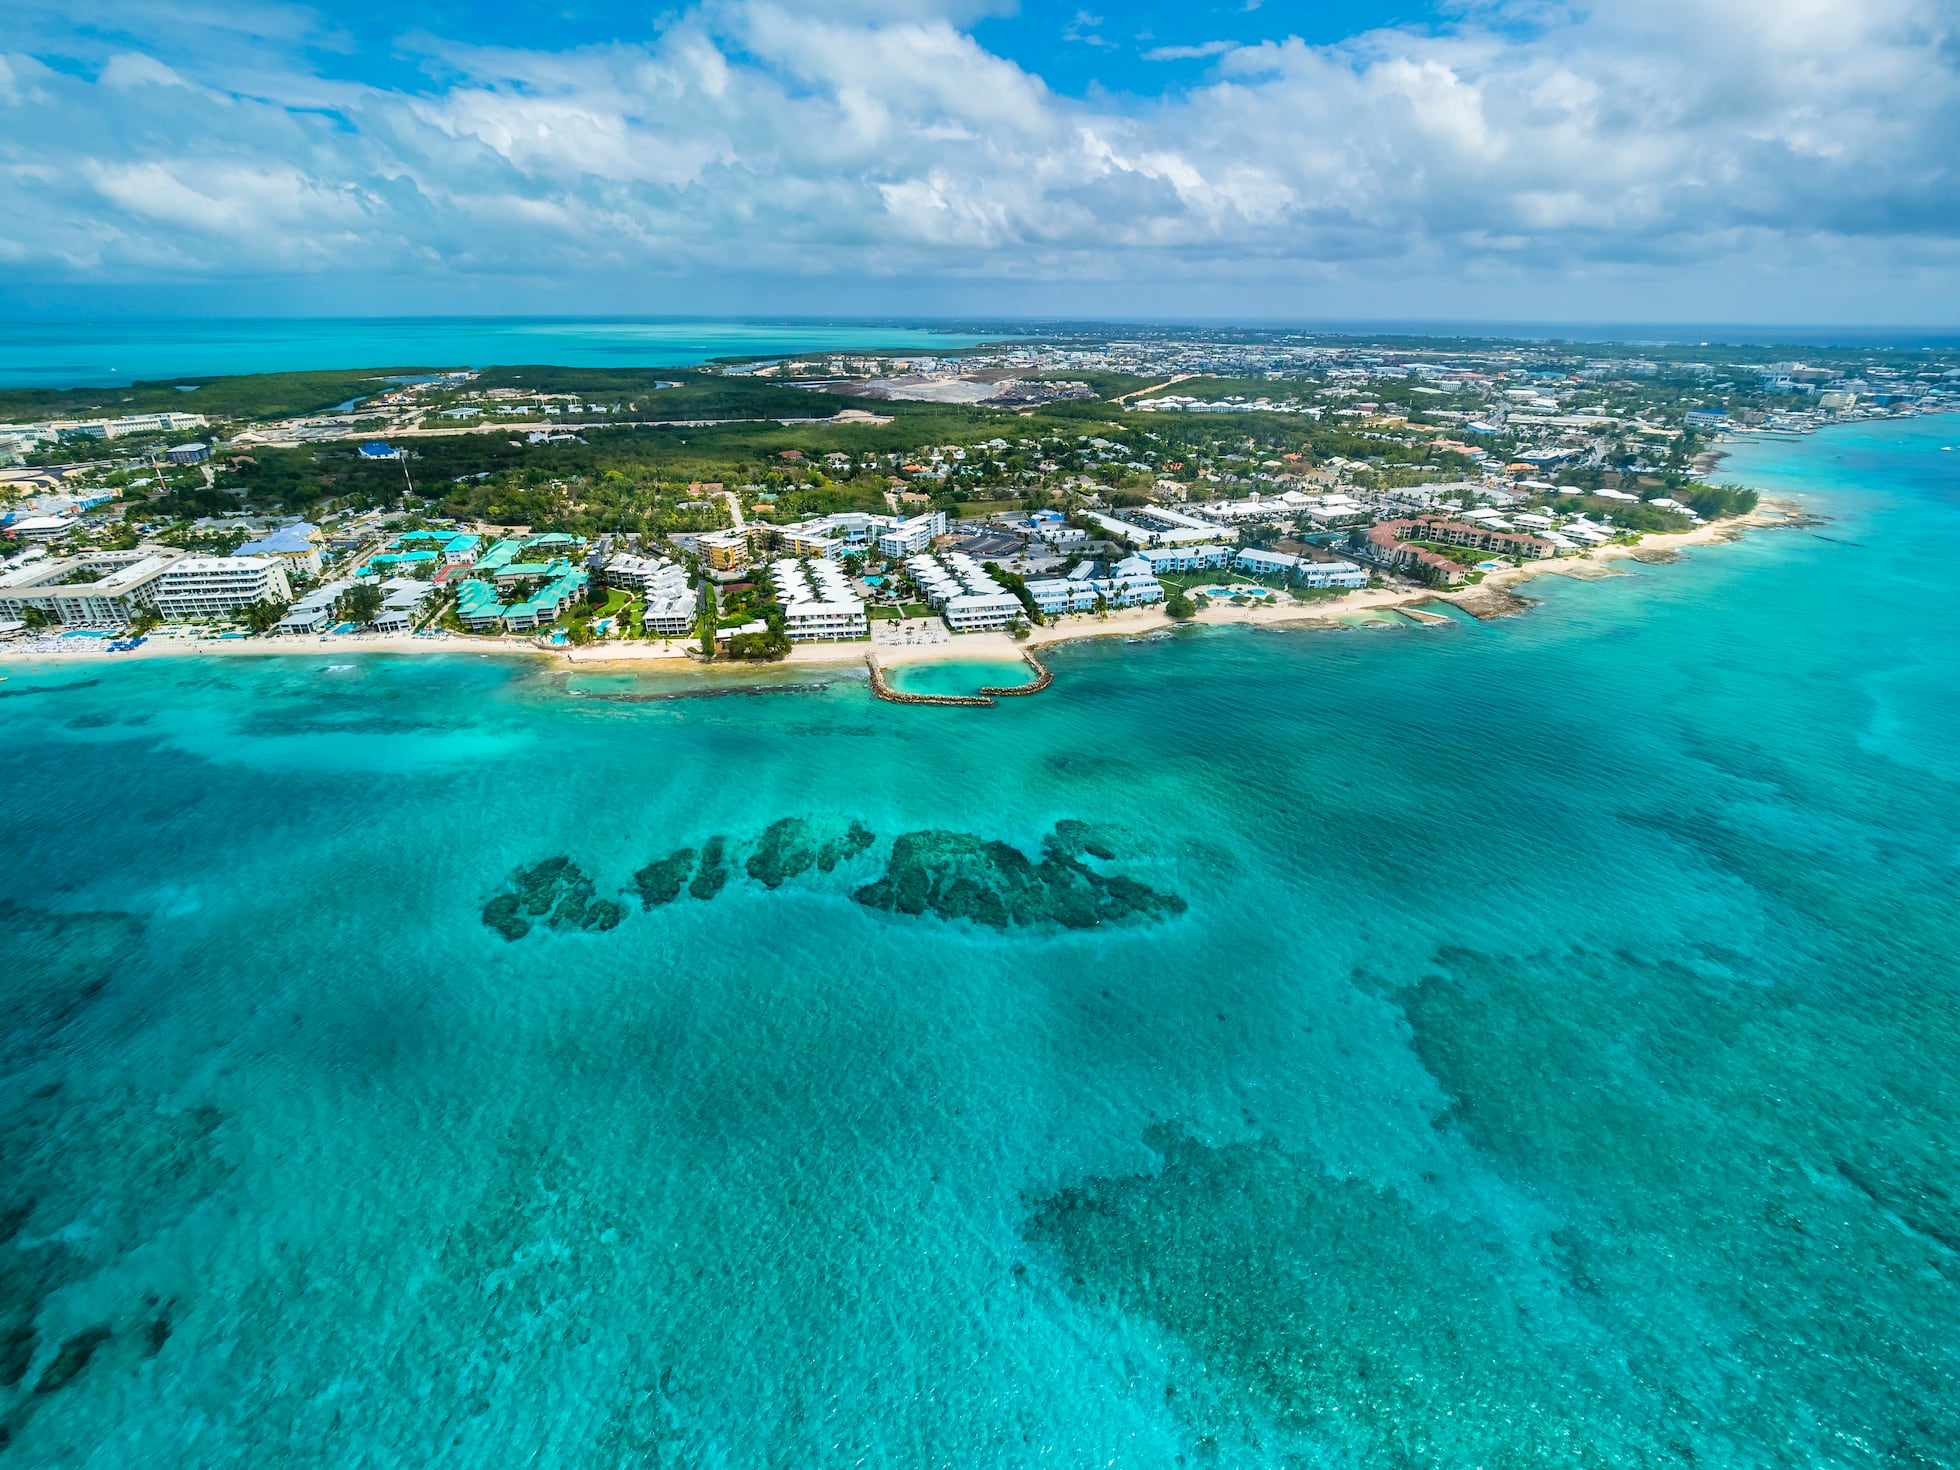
x=1504 y=1046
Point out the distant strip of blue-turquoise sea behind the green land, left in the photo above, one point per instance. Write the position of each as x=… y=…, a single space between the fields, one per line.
x=97 y=354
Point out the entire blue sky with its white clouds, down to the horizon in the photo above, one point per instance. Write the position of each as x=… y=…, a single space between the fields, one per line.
x=1469 y=160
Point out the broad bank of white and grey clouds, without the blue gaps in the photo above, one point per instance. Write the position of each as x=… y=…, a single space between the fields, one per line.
x=883 y=140
